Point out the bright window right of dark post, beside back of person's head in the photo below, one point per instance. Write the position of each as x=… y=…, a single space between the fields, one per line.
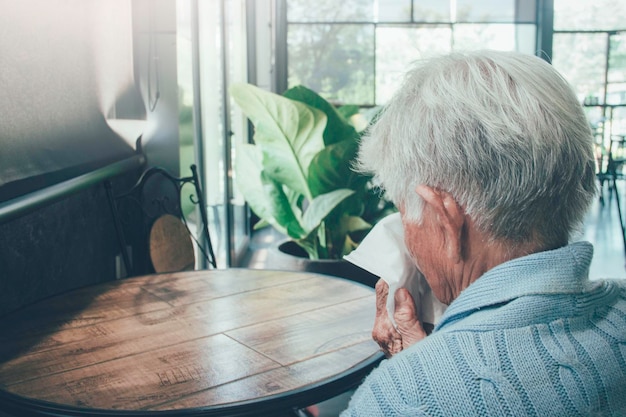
x=589 y=46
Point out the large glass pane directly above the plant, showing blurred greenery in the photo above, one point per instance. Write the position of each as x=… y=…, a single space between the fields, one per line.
x=337 y=61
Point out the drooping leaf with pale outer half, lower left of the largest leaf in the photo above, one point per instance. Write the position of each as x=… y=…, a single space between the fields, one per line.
x=264 y=196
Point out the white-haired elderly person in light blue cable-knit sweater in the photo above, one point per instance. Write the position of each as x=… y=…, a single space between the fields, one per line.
x=488 y=156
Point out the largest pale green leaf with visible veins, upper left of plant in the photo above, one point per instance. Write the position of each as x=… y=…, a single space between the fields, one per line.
x=289 y=134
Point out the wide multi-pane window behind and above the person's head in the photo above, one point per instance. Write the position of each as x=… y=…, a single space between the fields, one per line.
x=355 y=51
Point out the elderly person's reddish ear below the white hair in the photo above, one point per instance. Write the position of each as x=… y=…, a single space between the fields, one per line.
x=451 y=218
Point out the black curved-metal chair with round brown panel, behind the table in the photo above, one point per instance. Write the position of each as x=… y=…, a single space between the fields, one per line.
x=157 y=223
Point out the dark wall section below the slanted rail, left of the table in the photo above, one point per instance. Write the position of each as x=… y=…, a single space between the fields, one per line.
x=64 y=245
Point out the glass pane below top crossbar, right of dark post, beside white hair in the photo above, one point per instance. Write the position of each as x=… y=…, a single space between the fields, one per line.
x=580 y=57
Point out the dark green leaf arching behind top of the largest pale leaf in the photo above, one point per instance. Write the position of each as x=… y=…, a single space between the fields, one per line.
x=337 y=127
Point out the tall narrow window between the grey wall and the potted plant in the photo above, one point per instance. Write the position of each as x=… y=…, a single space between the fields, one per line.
x=212 y=39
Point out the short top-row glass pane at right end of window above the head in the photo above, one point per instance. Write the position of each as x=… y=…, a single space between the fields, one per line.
x=497 y=11
